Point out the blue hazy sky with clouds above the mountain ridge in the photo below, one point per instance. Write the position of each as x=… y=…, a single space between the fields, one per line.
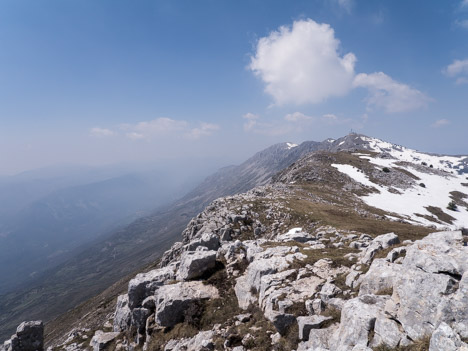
x=112 y=81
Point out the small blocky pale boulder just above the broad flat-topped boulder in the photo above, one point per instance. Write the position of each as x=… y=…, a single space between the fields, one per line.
x=194 y=264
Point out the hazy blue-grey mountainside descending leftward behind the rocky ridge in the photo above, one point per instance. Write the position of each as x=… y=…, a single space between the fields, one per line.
x=95 y=266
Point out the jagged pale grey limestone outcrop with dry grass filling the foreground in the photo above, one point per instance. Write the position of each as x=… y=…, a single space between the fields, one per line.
x=242 y=280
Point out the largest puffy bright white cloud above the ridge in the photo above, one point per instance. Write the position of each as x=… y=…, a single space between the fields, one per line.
x=301 y=64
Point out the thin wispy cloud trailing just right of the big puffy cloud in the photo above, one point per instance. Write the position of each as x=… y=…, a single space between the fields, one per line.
x=390 y=95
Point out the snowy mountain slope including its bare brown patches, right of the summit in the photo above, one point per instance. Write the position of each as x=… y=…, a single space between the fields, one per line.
x=437 y=182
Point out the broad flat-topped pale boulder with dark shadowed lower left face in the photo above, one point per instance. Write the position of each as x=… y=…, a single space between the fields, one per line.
x=174 y=299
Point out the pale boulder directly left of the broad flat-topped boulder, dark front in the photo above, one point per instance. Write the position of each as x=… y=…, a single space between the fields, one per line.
x=146 y=284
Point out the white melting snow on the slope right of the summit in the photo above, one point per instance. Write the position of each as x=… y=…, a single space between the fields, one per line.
x=414 y=200
